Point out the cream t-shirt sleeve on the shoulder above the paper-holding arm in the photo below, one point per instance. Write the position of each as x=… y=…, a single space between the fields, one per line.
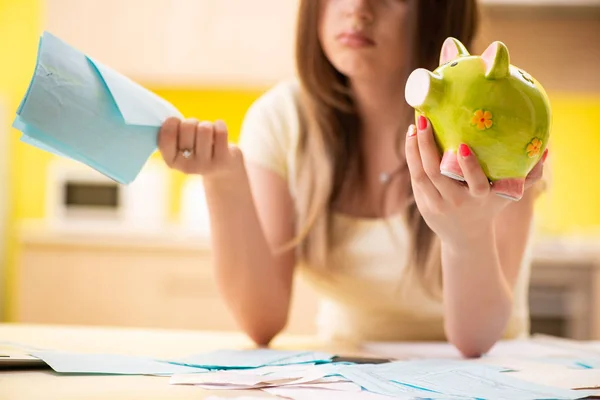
x=265 y=136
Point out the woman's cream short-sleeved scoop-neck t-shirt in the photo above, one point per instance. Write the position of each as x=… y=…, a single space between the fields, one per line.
x=361 y=296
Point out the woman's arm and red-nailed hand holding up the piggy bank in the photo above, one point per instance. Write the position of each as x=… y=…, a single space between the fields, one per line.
x=483 y=239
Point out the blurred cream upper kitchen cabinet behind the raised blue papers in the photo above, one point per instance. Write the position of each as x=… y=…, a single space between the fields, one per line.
x=207 y=42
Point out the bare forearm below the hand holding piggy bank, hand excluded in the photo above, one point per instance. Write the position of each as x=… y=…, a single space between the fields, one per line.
x=479 y=278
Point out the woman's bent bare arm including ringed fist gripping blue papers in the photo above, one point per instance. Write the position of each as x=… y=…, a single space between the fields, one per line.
x=250 y=214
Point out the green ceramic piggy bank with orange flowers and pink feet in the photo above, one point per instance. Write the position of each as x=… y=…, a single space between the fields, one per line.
x=495 y=108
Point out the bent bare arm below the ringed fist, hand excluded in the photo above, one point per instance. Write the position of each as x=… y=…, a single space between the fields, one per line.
x=255 y=282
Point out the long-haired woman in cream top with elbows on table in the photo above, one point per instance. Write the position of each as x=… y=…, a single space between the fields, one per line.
x=328 y=180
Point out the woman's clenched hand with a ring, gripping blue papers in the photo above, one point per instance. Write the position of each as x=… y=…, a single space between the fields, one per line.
x=202 y=148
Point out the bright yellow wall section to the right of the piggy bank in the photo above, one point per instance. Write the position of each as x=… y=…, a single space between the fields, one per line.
x=572 y=204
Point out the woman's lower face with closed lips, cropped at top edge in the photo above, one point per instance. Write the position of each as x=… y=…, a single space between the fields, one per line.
x=363 y=38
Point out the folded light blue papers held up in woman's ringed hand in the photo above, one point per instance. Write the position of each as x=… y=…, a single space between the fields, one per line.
x=76 y=107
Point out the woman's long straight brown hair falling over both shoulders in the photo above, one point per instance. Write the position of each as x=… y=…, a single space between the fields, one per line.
x=328 y=150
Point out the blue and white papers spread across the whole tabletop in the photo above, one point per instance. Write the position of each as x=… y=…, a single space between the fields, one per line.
x=300 y=375
